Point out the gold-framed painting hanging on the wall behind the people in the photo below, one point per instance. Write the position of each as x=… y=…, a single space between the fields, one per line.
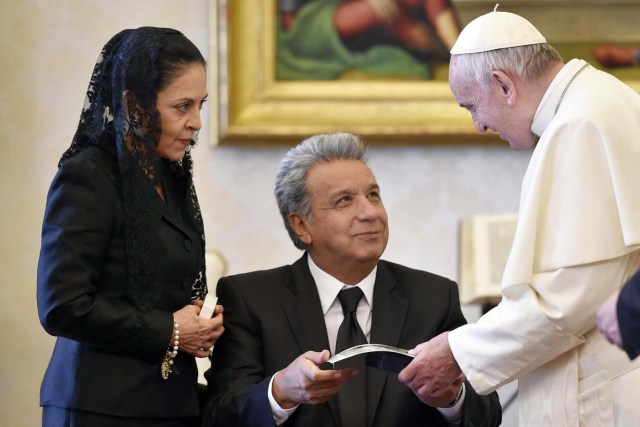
x=262 y=100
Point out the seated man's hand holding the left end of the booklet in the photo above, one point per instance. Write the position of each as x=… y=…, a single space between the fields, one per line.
x=303 y=381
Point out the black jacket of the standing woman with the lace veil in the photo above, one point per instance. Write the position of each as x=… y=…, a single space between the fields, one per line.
x=108 y=352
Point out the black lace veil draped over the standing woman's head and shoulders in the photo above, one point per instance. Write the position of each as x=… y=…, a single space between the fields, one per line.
x=120 y=116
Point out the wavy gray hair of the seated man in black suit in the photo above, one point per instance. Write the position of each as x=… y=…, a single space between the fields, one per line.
x=291 y=190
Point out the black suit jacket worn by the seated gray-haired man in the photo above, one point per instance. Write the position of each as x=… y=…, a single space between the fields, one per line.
x=273 y=316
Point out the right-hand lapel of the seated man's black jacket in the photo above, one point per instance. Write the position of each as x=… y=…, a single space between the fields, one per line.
x=389 y=314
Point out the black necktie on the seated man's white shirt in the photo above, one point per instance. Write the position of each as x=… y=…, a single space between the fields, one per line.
x=353 y=396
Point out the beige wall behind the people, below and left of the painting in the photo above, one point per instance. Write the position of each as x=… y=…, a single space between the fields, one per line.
x=47 y=51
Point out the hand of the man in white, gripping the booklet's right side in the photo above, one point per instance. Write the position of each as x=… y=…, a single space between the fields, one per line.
x=433 y=371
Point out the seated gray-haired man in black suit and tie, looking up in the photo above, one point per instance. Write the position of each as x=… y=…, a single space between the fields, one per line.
x=281 y=323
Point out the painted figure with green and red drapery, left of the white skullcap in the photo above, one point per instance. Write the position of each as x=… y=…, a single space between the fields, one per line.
x=326 y=39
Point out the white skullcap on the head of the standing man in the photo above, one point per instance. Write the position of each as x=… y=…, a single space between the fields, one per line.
x=496 y=30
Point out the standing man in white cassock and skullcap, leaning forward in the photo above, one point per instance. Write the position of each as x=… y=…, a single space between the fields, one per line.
x=577 y=235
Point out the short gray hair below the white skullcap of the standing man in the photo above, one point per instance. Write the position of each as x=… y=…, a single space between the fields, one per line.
x=526 y=62
